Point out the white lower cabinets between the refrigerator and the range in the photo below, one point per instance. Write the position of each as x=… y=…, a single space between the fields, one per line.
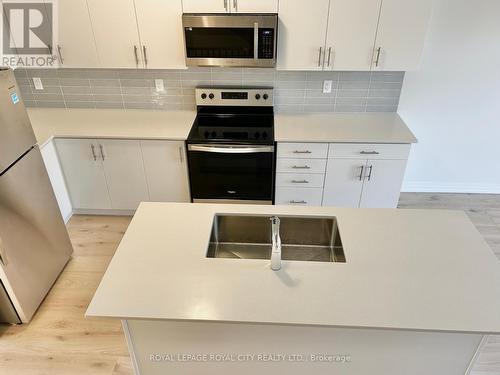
x=112 y=174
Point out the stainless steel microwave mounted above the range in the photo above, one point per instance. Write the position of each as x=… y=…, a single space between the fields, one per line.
x=230 y=40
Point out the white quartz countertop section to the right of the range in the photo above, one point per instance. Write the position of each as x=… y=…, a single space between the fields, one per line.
x=342 y=127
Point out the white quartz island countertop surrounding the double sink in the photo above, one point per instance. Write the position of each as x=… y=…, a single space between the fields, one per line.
x=406 y=269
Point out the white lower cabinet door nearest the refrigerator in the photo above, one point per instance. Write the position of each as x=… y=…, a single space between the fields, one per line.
x=84 y=173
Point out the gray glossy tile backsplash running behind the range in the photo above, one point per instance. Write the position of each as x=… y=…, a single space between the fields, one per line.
x=135 y=89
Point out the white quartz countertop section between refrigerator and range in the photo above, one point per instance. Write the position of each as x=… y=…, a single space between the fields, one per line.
x=110 y=123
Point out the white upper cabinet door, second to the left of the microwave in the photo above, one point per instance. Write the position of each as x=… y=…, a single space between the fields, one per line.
x=115 y=29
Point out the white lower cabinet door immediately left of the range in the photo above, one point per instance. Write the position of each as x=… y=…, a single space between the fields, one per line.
x=166 y=171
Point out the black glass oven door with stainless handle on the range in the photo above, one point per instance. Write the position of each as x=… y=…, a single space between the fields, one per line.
x=231 y=172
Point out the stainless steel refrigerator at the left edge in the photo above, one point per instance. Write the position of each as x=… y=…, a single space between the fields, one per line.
x=34 y=242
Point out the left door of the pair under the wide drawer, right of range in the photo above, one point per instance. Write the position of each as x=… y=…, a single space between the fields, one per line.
x=344 y=182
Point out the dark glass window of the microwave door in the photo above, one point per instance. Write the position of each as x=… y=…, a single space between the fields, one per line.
x=217 y=42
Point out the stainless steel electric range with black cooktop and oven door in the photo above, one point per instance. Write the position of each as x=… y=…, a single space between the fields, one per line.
x=231 y=149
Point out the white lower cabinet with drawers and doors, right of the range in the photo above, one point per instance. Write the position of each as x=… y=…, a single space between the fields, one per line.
x=340 y=174
